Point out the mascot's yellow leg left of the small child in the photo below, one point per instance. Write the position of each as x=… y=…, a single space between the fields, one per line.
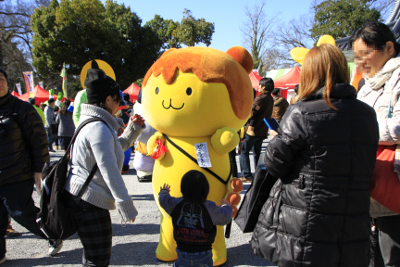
x=166 y=246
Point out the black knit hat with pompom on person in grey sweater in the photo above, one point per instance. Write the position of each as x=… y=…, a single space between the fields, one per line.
x=99 y=85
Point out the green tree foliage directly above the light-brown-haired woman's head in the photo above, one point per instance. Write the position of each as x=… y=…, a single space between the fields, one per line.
x=341 y=18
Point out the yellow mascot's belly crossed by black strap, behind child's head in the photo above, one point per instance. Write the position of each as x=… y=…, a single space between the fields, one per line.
x=175 y=164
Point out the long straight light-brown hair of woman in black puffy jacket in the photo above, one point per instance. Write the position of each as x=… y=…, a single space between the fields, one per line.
x=323 y=66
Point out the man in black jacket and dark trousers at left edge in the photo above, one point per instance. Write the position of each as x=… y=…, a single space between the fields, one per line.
x=23 y=152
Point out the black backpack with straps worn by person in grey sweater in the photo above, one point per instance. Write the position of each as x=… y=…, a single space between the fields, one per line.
x=56 y=218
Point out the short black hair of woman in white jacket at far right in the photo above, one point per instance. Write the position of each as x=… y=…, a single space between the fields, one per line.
x=375 y=34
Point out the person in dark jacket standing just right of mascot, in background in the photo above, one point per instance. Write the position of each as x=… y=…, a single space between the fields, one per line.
x=257 y=130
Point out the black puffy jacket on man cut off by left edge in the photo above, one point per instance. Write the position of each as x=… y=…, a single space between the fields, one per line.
x=22 y=151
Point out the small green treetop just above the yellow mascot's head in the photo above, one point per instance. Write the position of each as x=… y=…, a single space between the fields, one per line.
x=189 y=31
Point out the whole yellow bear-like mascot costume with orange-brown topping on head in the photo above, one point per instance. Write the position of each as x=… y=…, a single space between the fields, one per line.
x=197 y=97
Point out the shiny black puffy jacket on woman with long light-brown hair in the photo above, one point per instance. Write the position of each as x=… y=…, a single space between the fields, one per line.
x=318 y=211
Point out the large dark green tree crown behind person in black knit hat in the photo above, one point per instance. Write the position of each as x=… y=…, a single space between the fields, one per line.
x=76 y=31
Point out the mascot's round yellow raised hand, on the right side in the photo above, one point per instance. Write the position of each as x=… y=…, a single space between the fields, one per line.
x=224 y=140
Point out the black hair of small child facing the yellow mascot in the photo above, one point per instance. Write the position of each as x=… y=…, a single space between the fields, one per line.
x=194 y=187
